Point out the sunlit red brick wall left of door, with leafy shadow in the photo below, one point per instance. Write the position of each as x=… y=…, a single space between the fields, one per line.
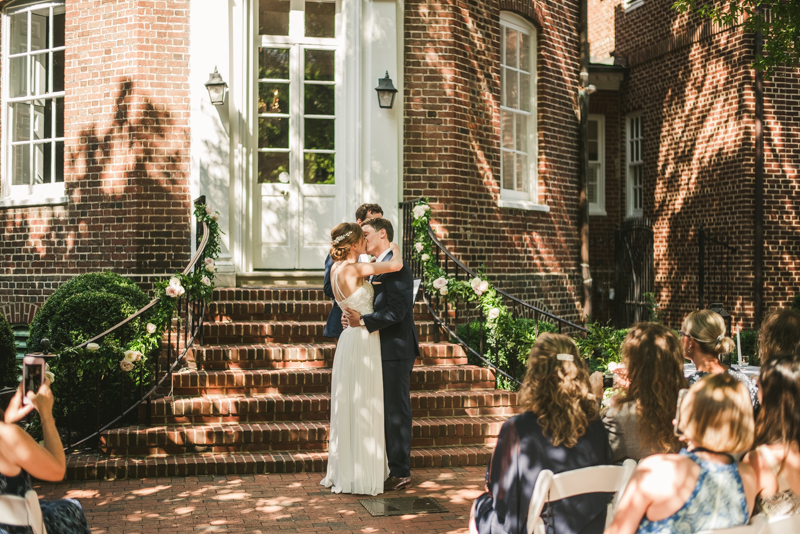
x=126 y=154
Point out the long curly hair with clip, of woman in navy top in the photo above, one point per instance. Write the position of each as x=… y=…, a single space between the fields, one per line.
x=558 y=390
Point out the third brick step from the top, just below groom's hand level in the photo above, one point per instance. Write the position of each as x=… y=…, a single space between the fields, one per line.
x=255 y=332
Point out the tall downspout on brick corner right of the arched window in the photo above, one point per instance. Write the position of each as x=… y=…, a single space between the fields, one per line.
x=583 y=151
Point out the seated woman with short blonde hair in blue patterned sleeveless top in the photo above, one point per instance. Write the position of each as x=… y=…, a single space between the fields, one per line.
x=702 y=487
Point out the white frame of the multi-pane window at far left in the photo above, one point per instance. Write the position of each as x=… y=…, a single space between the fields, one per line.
x=25 y=194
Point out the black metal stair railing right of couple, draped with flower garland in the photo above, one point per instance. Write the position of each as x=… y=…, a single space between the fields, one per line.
x=456 y=317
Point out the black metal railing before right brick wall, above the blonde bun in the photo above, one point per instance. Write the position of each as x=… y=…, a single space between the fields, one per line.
x=714 y=275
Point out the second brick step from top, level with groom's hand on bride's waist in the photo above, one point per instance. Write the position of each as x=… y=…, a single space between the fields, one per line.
x=288 y=310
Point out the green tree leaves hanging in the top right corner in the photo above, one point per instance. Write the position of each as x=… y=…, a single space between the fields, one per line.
x=777 y=20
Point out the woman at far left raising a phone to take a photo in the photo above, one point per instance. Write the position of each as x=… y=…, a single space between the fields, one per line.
x=21 y=457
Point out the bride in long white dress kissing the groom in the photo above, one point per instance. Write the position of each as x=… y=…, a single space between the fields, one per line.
x=356 y=444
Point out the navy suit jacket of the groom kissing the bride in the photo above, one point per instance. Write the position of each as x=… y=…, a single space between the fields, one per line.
x=394 y=314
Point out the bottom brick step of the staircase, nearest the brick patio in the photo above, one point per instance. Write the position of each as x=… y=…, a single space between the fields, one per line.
x=80 y=467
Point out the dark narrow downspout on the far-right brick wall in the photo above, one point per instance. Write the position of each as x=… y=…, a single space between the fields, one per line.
x=758 y=212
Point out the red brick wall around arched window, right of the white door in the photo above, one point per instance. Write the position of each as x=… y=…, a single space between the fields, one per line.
x=452 y=142
